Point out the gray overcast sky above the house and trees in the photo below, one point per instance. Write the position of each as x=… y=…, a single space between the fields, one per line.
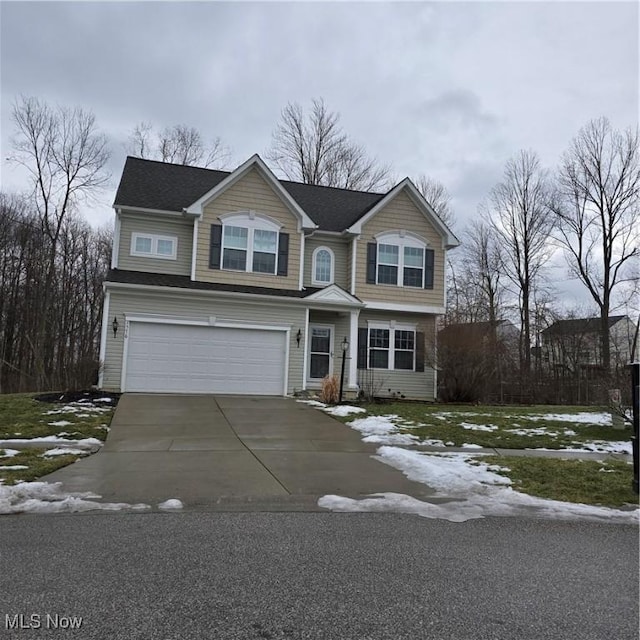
x=448 y=89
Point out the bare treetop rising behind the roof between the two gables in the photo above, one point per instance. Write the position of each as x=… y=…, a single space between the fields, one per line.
x=313 y=149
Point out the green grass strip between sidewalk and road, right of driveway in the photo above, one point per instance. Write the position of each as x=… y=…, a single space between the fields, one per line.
x=588 y=482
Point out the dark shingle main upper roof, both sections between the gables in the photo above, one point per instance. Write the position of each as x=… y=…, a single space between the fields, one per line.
x=149 y=184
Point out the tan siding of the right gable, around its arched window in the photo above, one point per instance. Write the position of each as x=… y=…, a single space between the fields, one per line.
x=400 y=213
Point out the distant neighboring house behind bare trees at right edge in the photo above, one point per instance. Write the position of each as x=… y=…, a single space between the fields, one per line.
x=574 y=345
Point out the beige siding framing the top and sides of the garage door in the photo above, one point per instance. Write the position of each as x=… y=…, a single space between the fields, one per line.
x=200 y=307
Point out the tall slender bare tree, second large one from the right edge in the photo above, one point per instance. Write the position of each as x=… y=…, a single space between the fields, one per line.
x=518 y=211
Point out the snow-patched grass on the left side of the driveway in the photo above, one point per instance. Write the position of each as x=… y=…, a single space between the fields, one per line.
x=23 y=417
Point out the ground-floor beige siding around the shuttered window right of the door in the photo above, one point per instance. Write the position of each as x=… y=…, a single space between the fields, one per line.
x=414 y=385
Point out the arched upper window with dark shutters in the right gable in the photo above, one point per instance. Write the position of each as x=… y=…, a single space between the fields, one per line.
x=401 y=259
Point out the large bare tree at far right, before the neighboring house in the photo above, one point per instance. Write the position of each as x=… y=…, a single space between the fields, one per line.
x=596 y=208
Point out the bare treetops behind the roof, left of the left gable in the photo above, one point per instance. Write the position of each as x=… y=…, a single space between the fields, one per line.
x=178 y=144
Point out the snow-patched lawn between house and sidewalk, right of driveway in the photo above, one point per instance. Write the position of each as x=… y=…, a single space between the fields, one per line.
x=507 y=427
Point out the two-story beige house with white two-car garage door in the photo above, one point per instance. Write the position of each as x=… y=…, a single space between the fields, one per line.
x=237 y=282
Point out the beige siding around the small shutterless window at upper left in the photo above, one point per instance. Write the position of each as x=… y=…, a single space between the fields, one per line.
x=156 y=225
